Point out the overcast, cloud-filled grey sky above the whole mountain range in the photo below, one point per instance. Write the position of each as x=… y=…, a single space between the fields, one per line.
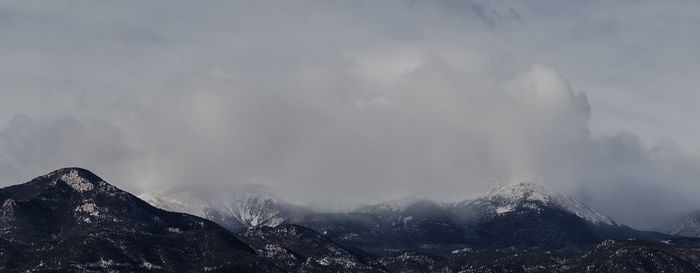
x=338 y=103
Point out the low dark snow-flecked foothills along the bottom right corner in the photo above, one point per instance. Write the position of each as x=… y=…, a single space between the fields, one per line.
x=610 y=256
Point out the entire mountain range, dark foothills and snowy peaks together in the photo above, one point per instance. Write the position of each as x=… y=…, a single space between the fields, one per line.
x=70 y=220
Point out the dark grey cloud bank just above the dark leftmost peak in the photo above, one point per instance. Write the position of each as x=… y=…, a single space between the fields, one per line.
x=31 y=147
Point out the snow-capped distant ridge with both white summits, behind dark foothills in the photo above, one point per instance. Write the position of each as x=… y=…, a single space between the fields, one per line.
x=521 y=215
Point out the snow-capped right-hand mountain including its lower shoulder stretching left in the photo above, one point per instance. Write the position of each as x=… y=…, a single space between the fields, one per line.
x=523 y=215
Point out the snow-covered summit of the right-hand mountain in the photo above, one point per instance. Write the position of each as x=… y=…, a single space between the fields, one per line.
x=507 y=198
